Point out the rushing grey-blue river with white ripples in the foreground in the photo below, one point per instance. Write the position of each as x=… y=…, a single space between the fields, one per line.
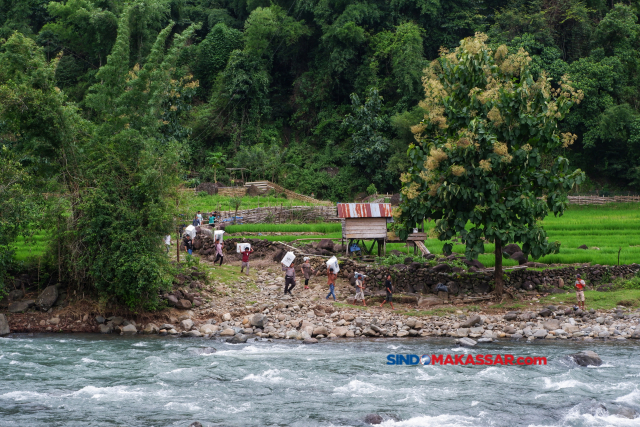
x=93 y=380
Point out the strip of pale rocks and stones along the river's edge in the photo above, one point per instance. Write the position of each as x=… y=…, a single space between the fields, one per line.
x=307 y=316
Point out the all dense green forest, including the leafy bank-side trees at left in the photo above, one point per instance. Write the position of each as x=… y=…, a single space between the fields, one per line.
x=114 y=104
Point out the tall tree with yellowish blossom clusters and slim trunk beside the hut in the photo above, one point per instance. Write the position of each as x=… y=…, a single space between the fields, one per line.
x=477 y=166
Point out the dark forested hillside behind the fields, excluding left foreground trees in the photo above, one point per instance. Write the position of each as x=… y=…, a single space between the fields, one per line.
x=319 y=95
